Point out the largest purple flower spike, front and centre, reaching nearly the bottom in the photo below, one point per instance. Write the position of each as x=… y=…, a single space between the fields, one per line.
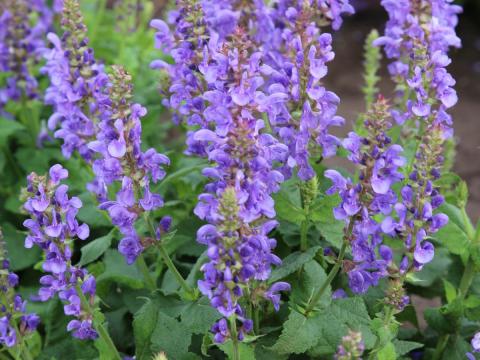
x=237 y=203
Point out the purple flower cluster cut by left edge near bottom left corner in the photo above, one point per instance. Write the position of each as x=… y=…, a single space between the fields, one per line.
x=12 y=307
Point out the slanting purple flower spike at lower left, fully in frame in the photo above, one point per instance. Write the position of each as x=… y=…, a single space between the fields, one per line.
x=52 y=227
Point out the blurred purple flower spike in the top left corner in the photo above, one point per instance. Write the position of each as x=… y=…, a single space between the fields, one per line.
x=23 y=25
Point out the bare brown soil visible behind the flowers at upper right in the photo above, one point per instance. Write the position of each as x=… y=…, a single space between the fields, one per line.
x=345 y=79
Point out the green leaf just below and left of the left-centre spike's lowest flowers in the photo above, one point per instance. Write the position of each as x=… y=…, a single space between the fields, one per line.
x=117 y=270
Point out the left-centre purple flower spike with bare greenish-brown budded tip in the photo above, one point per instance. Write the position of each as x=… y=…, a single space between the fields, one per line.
x=121 y=160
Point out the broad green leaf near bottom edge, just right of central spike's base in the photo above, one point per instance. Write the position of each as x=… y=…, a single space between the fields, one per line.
x=298 y=335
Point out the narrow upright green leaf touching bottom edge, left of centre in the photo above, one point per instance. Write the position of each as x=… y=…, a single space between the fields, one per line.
x=144 y=323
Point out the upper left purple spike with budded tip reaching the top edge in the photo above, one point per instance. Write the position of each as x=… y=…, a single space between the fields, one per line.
x=78 y=83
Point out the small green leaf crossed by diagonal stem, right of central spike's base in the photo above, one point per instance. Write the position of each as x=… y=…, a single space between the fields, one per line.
x=312 y=278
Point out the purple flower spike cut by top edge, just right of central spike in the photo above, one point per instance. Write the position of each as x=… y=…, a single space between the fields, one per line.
x=300 y=109
